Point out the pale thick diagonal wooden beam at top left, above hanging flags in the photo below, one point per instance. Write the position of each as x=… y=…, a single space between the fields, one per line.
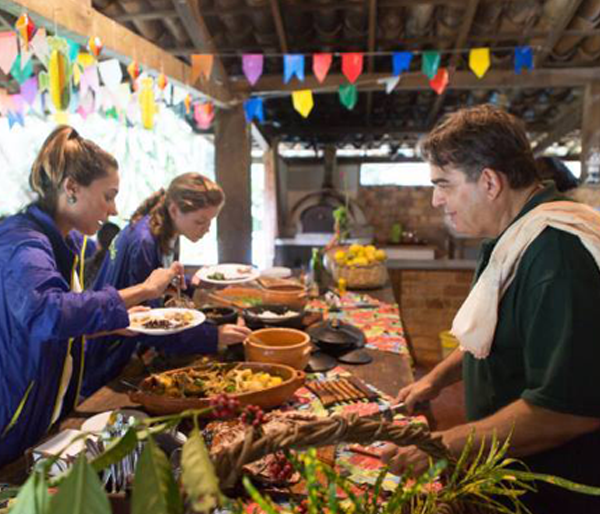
x=78 y=21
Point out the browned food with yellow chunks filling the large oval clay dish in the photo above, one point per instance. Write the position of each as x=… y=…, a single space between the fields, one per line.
x=205 y=382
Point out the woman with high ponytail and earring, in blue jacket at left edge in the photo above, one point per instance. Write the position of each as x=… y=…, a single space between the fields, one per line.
x=44 y=316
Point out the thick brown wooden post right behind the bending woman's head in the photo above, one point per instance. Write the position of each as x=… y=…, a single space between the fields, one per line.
x=232 y=170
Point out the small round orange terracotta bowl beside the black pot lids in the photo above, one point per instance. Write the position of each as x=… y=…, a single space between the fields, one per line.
x=279 y=346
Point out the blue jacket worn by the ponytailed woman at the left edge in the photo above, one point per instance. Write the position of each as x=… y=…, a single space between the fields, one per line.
x=41 y=320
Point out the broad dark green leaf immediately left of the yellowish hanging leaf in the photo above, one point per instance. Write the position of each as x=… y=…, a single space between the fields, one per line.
x=154 y=488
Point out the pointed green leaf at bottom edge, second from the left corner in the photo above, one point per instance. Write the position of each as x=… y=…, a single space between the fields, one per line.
x=80 y=492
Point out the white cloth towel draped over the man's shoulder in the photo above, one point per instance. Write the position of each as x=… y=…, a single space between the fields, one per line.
x=475 y=322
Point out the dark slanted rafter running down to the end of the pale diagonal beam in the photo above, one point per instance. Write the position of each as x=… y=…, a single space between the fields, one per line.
x=198 y=31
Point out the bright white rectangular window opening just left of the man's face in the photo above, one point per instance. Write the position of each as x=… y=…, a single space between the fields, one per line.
x=395 y=174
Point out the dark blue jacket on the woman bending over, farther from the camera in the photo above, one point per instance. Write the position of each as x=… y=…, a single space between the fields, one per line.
x=132 y=256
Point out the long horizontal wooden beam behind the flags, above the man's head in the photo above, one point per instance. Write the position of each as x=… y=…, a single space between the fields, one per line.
x=415 y=81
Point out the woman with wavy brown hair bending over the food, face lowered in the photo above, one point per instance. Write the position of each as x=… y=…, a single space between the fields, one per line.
x=186 y=208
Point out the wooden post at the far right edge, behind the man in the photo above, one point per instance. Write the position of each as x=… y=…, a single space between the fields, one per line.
x=590 y=134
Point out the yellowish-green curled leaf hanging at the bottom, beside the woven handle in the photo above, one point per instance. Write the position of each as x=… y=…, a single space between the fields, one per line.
x=198 y=474
